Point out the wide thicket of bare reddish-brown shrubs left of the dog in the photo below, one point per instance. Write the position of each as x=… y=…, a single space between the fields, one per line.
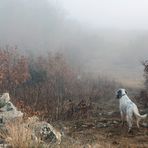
x=41 y=85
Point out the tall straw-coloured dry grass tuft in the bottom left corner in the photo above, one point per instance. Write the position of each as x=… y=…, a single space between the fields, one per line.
x=19 y=136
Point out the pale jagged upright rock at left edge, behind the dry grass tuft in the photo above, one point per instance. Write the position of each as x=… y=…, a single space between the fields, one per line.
x=8 y=111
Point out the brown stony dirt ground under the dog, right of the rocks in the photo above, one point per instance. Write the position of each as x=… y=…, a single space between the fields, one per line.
x=104 y=131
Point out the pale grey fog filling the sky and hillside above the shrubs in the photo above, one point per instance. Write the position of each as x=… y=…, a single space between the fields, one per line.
x=106 y=38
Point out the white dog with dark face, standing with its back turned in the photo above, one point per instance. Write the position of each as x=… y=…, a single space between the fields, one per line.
x=128 y=109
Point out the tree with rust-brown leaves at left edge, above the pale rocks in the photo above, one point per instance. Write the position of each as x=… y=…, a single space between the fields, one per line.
x=13 y=69
